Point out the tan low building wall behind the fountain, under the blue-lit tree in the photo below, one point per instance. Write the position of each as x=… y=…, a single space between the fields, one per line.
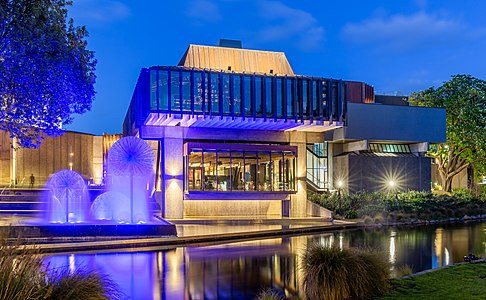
x=84 y=153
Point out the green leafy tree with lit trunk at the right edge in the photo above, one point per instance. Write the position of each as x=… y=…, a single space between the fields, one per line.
x=464 y=98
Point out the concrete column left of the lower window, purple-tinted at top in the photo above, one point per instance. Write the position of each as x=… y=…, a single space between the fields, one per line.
x=172 y=178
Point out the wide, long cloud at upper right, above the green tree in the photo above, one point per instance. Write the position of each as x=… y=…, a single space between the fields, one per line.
x=404 y=32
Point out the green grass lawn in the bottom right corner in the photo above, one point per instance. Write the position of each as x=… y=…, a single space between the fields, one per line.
x=466 y=281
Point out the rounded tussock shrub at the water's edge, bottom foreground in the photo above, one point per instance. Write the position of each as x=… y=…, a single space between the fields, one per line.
x=331 y=273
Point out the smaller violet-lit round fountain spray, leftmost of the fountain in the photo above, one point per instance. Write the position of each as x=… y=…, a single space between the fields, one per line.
x=68 y=199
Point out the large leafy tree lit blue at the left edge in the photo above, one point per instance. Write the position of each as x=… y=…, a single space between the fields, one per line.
x=46 y=71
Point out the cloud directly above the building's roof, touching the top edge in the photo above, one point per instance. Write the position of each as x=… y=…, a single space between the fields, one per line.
x=289 y=24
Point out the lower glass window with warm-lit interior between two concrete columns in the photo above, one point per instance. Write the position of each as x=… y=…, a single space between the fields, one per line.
x=239 y=168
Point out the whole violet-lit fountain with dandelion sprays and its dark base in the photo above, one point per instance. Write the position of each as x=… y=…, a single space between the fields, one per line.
x=122 y=210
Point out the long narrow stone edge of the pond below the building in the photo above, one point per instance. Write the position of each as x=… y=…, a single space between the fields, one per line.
x=173 y=242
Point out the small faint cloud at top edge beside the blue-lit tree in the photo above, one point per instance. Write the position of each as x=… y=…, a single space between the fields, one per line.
x=101 y=11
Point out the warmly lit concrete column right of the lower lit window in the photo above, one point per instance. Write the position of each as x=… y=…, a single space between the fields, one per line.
x=298 y=202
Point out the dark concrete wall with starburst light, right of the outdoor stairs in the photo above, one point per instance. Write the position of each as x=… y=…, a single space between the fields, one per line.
x=373 y=173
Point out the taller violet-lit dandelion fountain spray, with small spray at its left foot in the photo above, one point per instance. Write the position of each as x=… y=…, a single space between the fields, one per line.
x=130 y=167
